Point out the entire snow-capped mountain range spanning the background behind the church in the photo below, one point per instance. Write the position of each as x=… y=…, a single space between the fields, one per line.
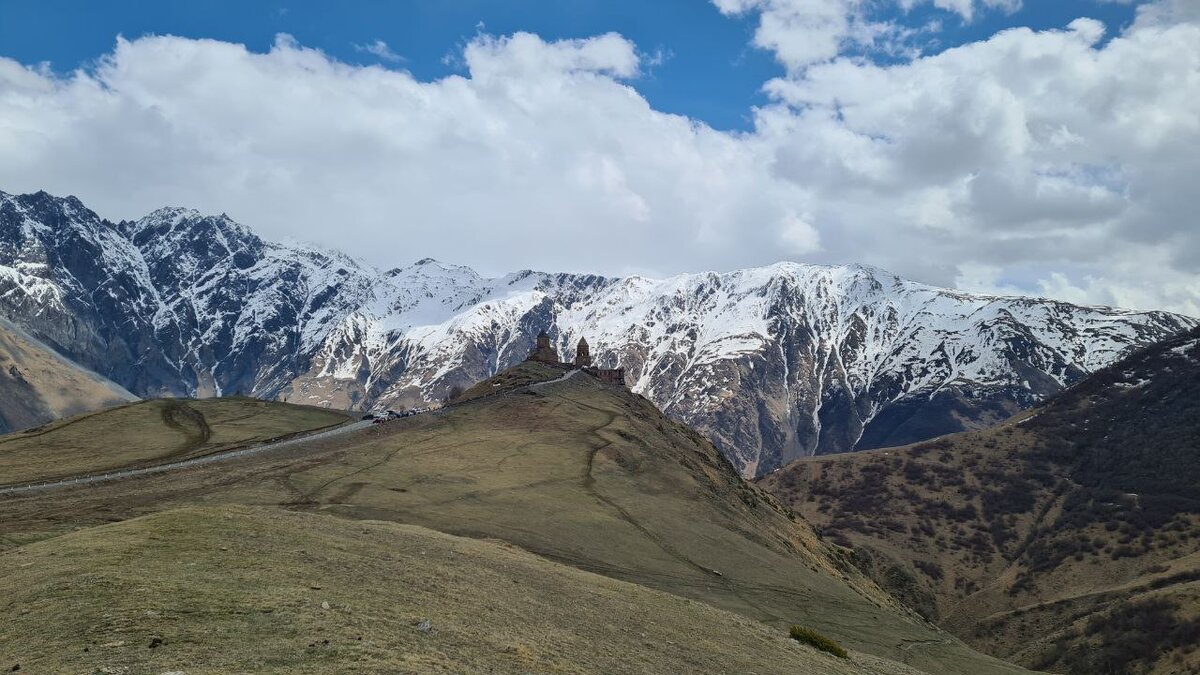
x=772 y=363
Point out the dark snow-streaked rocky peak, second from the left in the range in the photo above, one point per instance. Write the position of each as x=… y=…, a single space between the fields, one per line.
x=249 y=310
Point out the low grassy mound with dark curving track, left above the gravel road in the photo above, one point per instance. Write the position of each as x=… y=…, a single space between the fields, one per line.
x=149 y=432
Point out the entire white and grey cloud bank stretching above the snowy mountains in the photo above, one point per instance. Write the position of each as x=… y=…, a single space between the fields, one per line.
x=1051 y=163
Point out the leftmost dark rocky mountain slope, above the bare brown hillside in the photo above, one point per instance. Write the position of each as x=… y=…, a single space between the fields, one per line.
x=79 y=284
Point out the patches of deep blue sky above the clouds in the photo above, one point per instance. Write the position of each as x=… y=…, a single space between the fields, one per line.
x=709 y=71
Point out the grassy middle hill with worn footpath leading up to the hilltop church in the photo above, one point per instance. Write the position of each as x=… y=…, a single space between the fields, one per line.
x=577 y=473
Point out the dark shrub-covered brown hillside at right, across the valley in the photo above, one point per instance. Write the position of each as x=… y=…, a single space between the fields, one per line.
x=1066 y=540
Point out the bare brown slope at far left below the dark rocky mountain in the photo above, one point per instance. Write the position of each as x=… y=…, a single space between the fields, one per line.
x=38 y=385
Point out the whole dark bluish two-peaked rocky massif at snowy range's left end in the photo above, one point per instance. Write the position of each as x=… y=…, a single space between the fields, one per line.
x=173 y=304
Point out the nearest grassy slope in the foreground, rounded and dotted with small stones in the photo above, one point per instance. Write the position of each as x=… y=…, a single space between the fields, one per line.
x=263 y=590
